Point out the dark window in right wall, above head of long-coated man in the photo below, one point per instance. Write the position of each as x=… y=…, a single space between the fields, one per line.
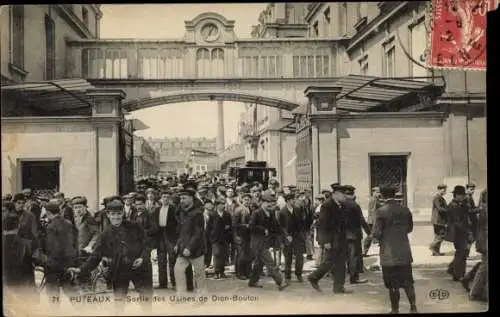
x=389 y=170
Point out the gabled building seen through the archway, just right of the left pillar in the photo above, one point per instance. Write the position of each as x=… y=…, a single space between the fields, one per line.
x=146 y=158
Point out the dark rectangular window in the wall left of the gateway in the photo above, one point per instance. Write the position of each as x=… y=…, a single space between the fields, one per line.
x=42 y=177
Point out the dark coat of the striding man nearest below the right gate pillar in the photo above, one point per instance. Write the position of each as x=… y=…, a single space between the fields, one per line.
x=332 y=224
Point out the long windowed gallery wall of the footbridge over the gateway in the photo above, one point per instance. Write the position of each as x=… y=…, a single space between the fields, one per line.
x=115 y=60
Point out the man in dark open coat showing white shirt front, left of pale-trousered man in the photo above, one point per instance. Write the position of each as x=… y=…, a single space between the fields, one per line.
x=165 y=225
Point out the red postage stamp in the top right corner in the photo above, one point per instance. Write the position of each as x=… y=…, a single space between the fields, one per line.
x=458 y=36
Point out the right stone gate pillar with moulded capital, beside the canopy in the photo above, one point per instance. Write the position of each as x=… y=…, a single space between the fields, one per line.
x=324 y=119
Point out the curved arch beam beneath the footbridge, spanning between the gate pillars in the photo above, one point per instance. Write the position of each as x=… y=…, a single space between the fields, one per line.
x=180 y=97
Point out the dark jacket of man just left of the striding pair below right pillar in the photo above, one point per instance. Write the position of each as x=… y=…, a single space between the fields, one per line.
x=294 y=224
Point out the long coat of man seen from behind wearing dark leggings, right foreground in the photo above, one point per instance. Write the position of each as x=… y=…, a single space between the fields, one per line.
x=392 y=226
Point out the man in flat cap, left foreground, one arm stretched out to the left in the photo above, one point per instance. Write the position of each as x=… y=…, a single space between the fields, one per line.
x=127 y=245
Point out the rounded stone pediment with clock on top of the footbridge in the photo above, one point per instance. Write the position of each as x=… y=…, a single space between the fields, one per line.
x=210 y=28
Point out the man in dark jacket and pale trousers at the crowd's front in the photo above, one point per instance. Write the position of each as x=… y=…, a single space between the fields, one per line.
x=190 y=242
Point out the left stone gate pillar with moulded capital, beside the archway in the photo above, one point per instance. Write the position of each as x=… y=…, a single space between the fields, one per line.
x=106 y=113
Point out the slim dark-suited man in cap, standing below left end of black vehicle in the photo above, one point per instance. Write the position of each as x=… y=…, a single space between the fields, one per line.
x=241 y=236
